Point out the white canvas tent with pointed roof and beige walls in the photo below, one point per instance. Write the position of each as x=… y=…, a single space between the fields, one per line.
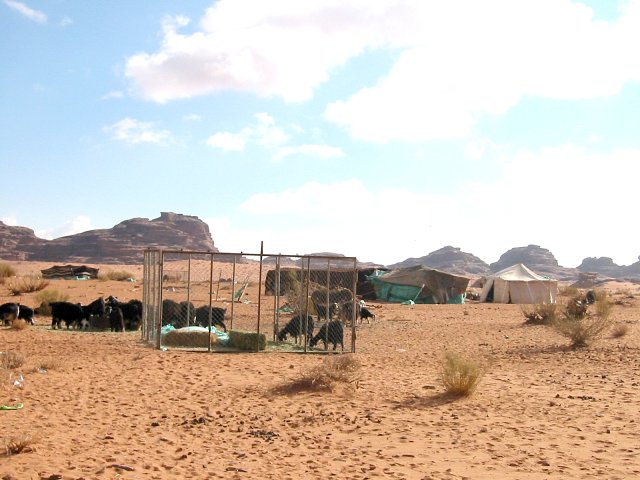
x=518 y=284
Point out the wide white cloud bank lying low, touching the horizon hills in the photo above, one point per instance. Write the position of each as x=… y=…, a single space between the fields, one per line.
x=564 y=198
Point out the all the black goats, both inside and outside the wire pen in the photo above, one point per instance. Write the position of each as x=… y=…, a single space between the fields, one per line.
x=112 y=314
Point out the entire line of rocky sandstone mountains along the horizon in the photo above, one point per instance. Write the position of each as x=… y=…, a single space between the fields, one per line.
x=126 y=242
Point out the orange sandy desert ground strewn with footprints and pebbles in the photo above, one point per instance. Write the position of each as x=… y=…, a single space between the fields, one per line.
x=109 y=406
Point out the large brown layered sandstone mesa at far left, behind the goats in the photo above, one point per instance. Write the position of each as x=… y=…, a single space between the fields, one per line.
x=123 y=243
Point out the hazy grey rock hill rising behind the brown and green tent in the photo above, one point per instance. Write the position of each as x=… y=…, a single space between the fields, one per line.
x=449 y=259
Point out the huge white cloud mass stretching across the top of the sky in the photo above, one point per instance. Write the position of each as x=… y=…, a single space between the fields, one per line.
x=457 y=60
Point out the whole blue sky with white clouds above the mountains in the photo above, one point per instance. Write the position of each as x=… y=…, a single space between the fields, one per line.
x=382 y=129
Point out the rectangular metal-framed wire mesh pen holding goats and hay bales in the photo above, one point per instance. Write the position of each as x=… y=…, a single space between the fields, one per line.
x=222 y=302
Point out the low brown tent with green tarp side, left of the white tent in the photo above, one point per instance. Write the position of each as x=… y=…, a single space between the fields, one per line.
x=420 y=284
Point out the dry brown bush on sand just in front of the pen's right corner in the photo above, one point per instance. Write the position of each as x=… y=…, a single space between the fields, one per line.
x=335 y=370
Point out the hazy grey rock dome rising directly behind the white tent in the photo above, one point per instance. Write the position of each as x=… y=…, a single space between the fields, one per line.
x=538 y=259
